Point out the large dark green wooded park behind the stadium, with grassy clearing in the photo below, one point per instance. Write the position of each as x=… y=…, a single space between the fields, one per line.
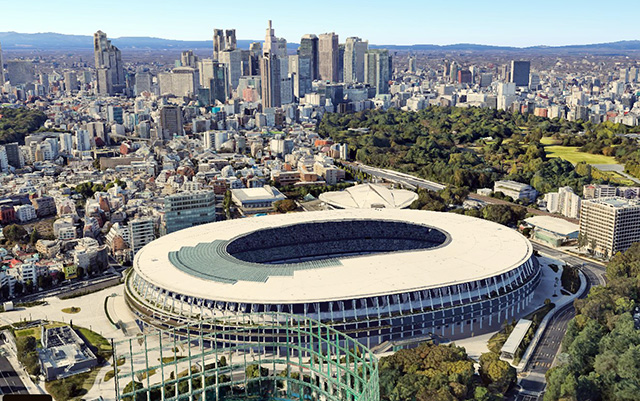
x=472 y=147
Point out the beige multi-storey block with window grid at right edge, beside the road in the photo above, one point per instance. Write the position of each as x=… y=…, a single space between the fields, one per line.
x=610 y=225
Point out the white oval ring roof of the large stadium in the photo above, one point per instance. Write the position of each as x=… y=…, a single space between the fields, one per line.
x=478 y=249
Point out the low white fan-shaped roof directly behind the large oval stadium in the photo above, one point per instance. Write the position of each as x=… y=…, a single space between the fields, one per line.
x=367 y=196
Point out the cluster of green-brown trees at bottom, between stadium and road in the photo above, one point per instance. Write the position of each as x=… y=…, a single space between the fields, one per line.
x=443 y=372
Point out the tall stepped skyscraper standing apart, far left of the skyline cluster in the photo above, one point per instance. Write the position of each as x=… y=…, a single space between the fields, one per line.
x=109 y=67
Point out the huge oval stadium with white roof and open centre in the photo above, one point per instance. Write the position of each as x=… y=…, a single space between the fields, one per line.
x=376 y=275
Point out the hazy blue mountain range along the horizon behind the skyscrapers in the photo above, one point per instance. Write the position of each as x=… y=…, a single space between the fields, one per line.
x=57 y=41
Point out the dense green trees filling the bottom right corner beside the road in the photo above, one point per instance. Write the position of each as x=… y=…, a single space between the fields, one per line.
x=601 y=349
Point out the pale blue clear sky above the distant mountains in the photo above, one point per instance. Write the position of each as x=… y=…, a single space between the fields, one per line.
x=403 y=22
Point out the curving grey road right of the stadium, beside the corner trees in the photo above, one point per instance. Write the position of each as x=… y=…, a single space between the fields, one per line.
x=543 y=357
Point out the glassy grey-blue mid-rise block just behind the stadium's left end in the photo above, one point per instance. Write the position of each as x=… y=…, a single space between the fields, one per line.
x=190 y=209
